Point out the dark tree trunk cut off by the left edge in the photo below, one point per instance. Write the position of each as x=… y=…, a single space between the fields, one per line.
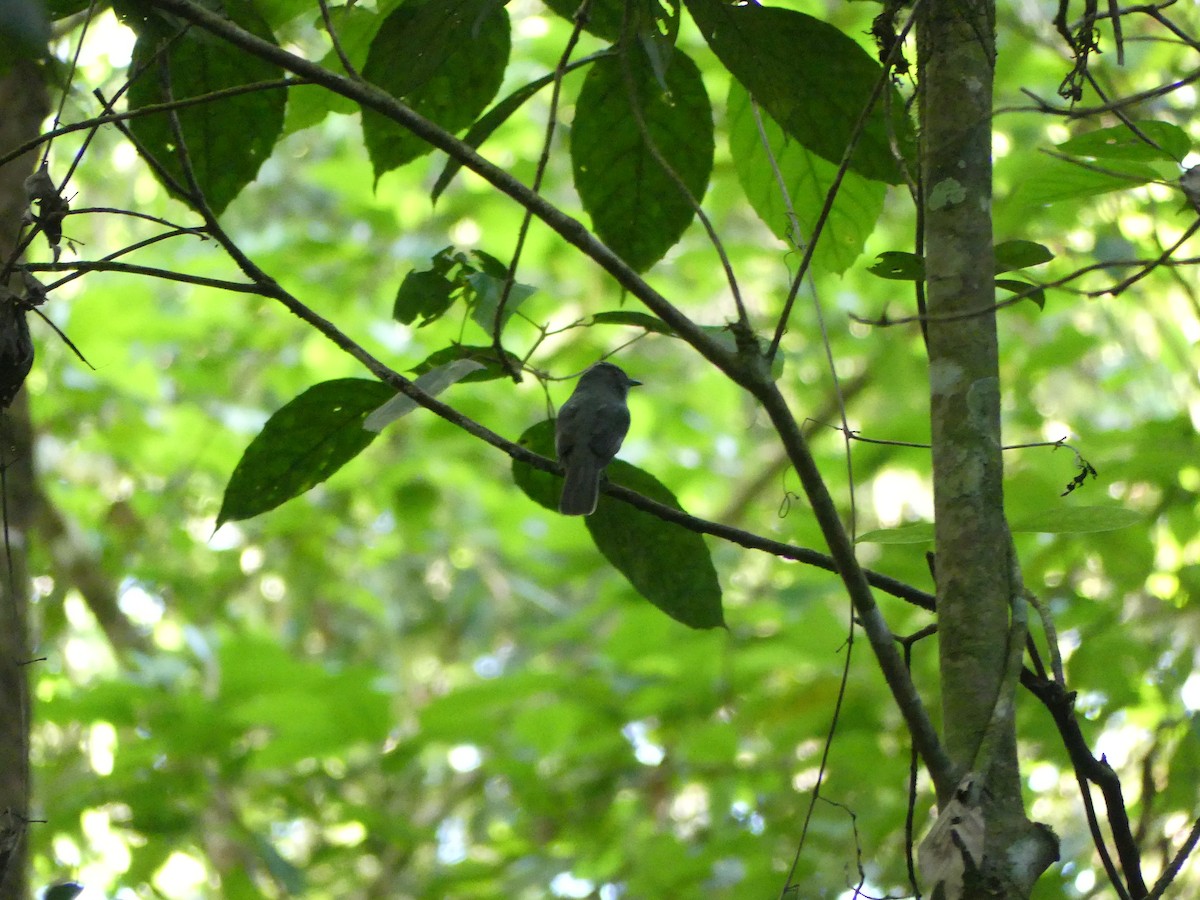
x=22 y=109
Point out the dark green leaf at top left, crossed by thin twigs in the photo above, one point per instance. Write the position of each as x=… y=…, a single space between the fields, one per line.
x=227 y=141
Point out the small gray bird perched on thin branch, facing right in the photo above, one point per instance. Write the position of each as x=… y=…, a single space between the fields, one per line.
x=589 y=434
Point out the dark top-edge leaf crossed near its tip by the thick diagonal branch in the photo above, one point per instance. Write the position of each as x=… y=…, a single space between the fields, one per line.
x=443 y=58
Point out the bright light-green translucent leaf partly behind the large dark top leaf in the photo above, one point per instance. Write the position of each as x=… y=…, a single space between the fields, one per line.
x=808 y=179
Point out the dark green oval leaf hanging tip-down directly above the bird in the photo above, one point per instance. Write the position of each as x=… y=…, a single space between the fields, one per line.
x=637 y=208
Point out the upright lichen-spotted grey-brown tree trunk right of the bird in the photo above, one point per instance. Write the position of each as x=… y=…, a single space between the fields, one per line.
x=976 y=574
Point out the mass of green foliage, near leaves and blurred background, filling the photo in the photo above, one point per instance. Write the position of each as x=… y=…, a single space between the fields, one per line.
x=392 y=671
